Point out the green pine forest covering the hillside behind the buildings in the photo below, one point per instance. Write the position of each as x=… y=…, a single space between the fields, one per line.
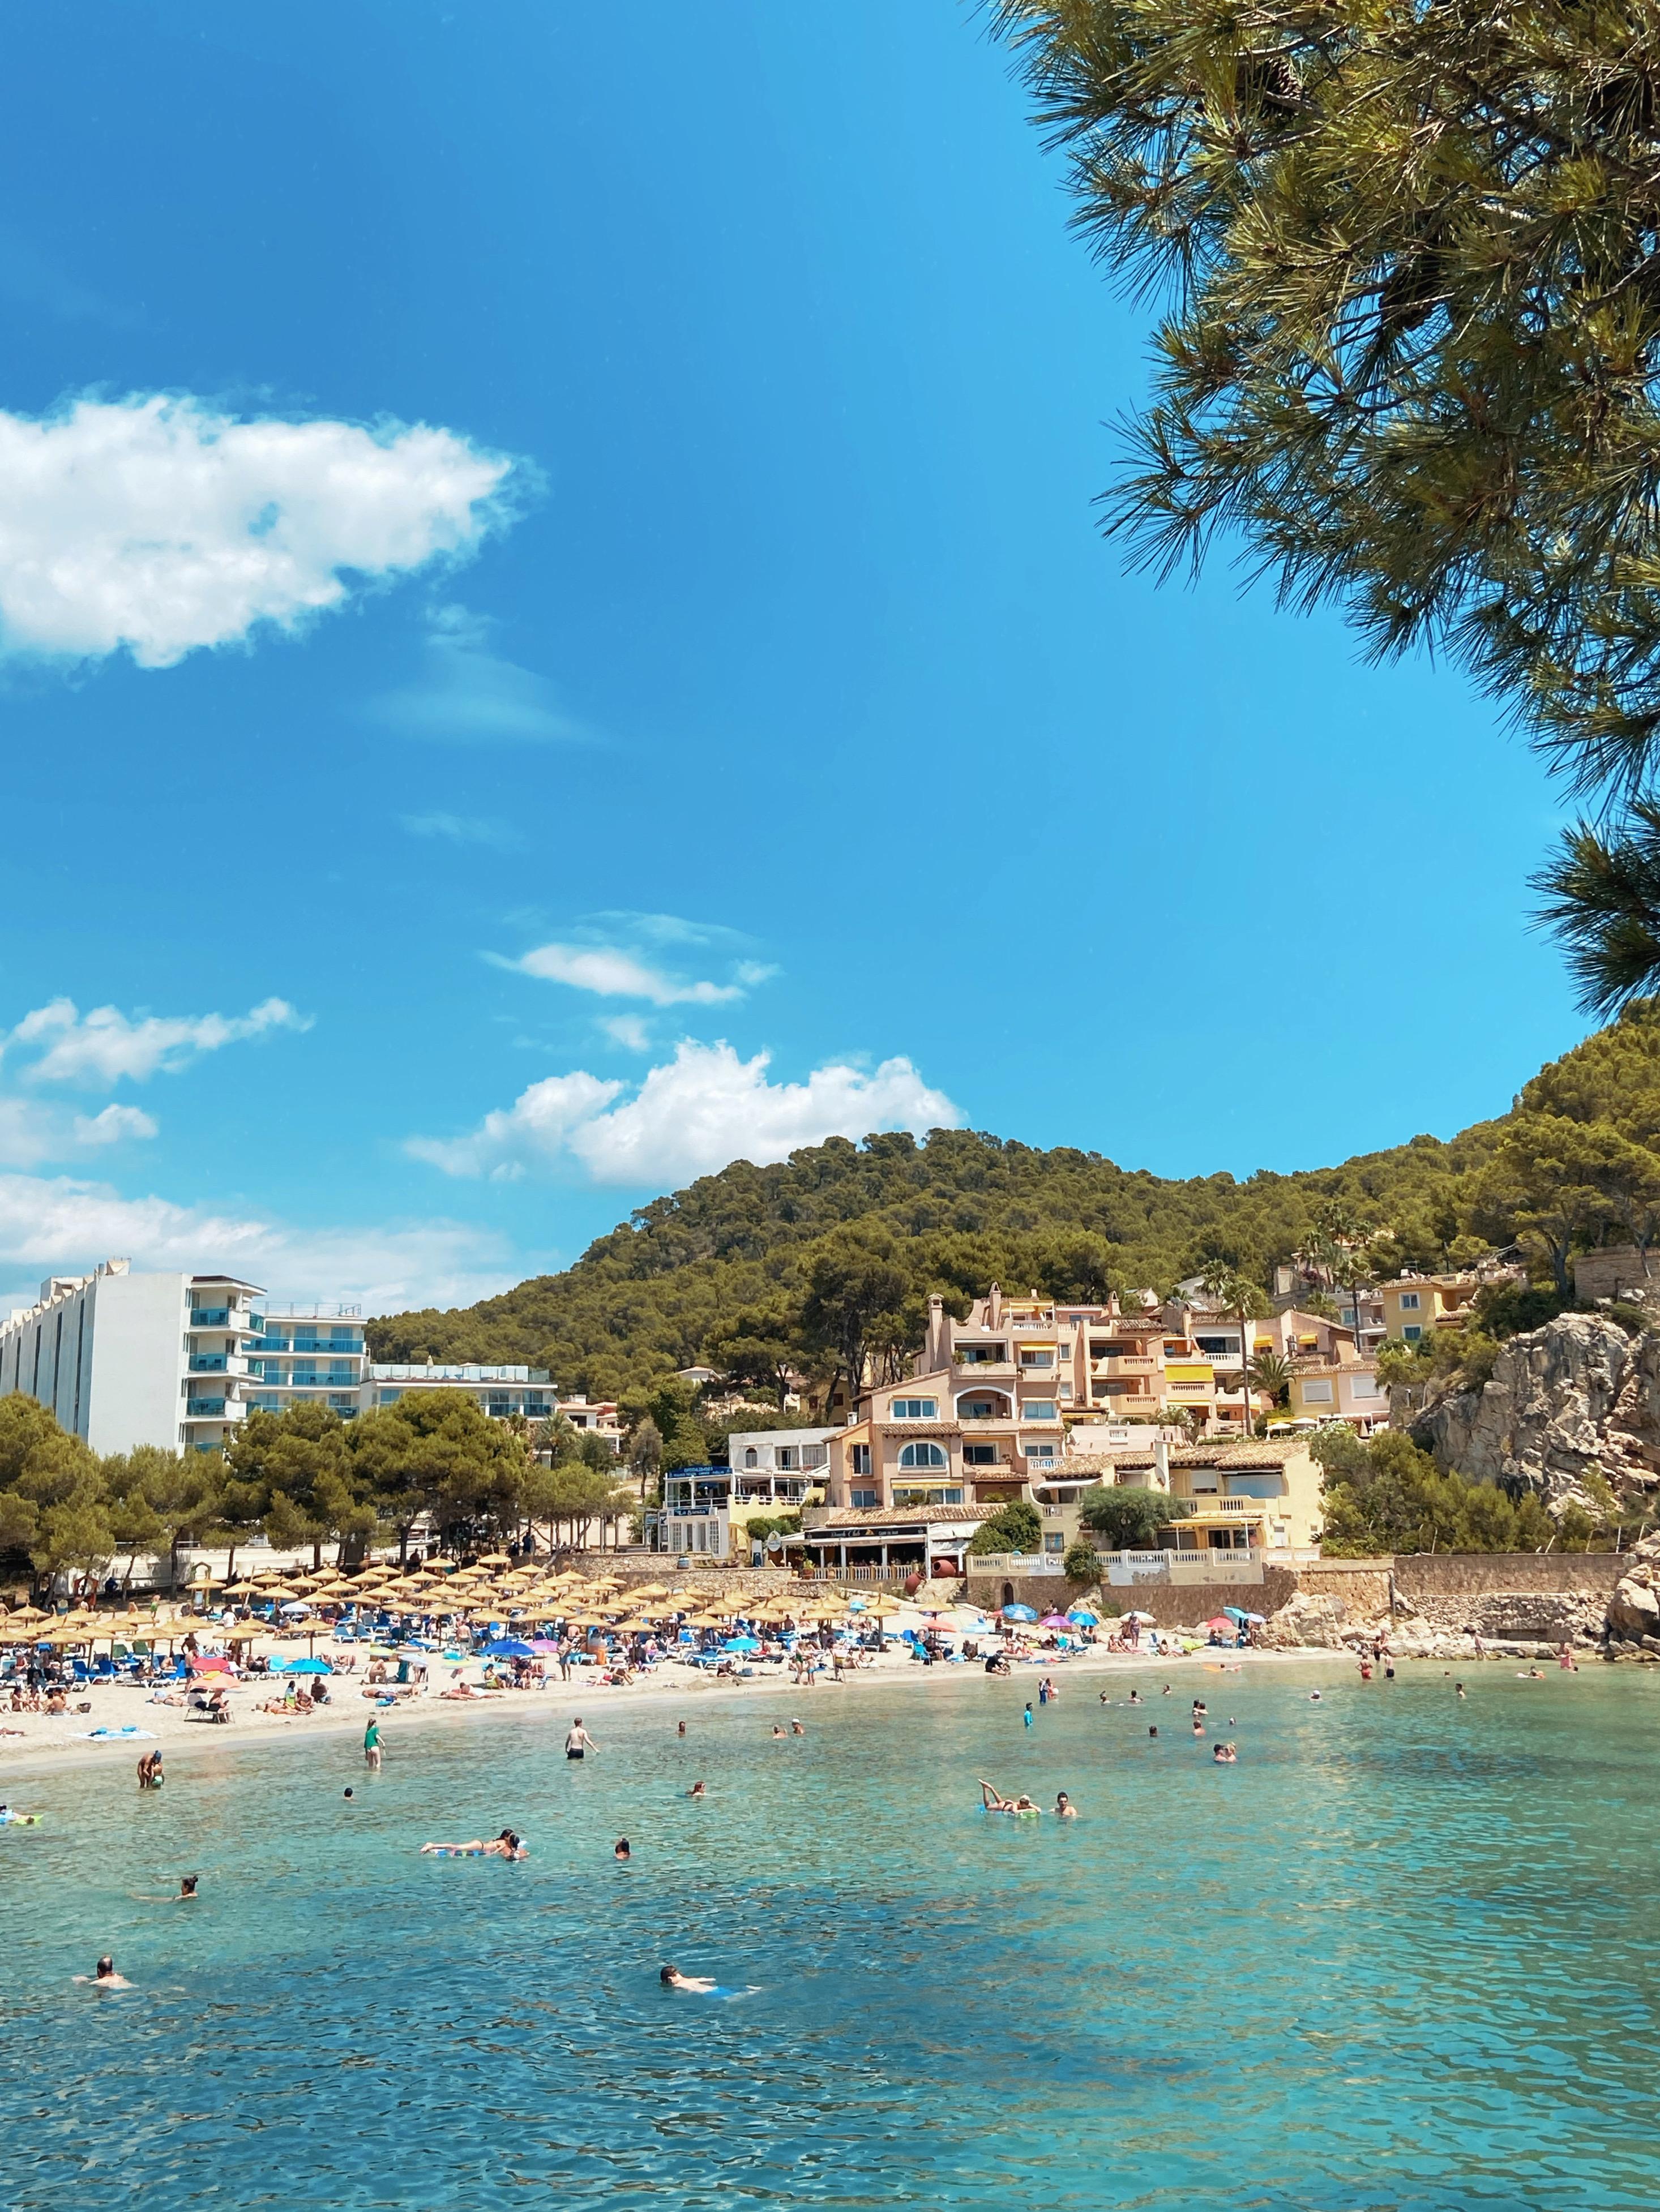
x=765 y=1269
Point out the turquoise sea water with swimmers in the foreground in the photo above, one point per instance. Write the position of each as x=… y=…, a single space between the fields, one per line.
x=1398 y=1959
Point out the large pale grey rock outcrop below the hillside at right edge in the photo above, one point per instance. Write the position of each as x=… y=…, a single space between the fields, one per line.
x=1568 y=1401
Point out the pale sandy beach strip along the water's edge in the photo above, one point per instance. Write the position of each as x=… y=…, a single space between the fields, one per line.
x=37 y=1744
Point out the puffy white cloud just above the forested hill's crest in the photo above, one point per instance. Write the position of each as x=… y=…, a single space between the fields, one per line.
x=689 y=1118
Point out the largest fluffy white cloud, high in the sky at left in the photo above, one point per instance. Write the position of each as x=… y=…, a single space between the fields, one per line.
x=160 y=525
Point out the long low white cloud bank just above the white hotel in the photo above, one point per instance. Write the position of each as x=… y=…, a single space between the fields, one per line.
x=65 y=1227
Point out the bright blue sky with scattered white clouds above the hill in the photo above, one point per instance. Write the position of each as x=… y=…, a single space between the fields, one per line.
x=554 y=636
